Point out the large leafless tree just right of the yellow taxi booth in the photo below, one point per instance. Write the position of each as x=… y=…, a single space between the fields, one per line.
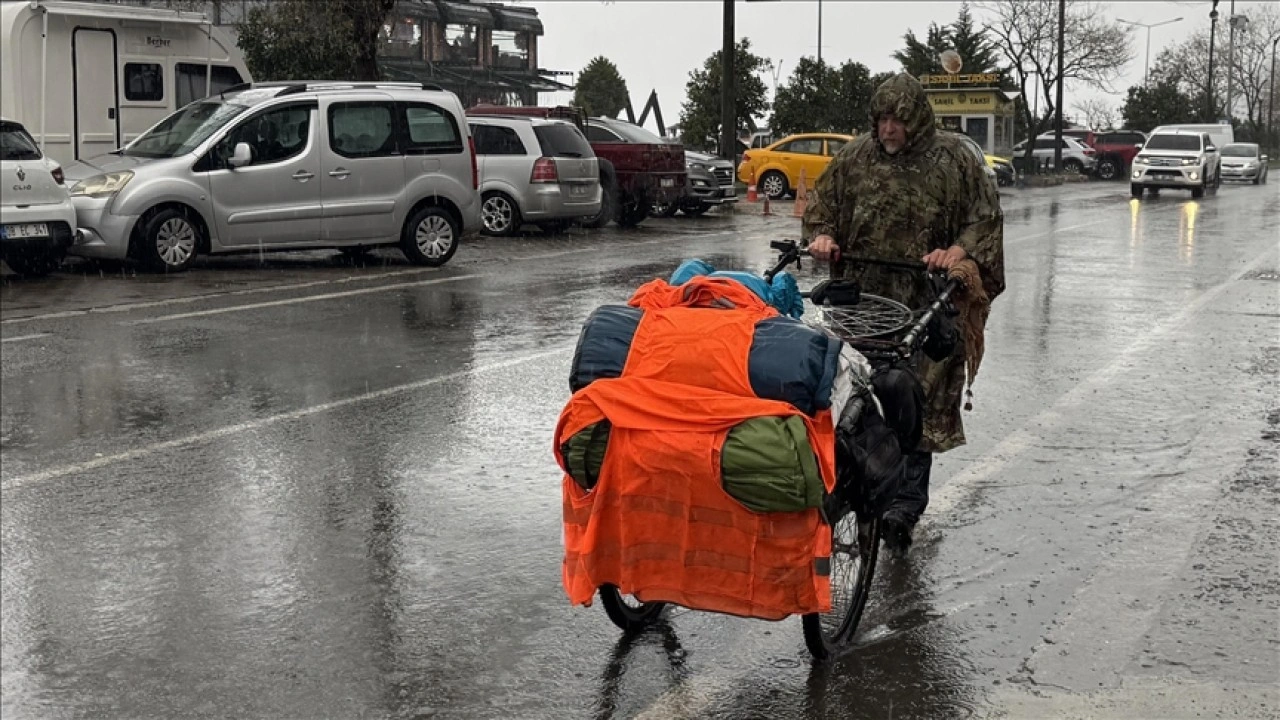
x=1026 y=34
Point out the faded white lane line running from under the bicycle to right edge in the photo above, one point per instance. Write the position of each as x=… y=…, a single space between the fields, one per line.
x=693 y=698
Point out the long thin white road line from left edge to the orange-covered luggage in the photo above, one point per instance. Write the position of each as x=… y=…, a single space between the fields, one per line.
x=76 y=468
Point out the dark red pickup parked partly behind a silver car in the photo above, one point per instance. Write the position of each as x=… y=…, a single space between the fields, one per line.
x=638 y=168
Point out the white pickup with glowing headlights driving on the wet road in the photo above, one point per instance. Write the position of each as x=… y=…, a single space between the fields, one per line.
x=1177 y=160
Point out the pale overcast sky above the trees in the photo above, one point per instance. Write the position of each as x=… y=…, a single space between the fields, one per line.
x=656 y=44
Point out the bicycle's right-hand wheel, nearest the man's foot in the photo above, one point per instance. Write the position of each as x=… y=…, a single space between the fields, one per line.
x=854 y=548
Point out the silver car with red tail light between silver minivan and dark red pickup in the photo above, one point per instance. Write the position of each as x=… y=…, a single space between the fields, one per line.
x=534 y=171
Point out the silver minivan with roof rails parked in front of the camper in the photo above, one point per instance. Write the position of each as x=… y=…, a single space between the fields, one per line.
x=289 y=166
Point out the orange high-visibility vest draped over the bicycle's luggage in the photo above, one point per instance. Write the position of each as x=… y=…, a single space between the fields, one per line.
x=659 y=523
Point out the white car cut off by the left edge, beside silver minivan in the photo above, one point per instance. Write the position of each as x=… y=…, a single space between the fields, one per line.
x=39 y=221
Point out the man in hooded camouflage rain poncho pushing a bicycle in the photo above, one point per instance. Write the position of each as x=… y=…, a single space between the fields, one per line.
x=907 y=193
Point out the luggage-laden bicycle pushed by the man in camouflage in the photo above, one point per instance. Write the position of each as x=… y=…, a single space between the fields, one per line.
x=874 y=326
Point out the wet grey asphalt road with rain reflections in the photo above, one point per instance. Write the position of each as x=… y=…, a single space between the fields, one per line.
x=307 y=489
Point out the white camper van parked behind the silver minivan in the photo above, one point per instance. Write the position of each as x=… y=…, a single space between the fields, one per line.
x=86 y=79
